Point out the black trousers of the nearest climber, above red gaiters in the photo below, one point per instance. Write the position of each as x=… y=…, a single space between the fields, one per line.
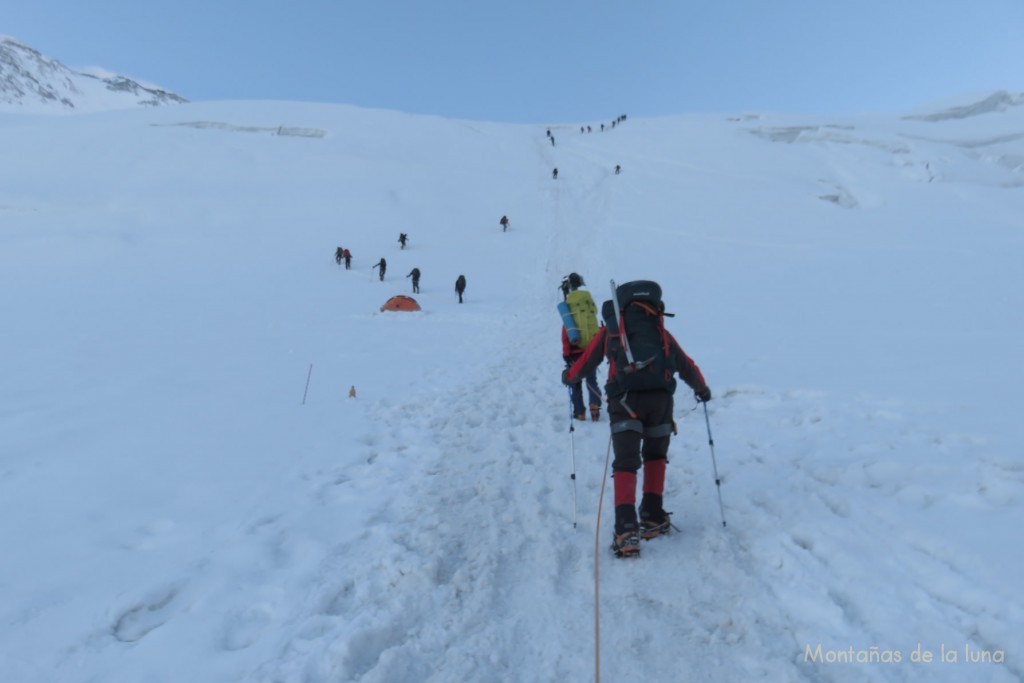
x=647 y=437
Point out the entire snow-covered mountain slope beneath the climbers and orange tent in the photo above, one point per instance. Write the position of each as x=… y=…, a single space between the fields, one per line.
x=173 y=510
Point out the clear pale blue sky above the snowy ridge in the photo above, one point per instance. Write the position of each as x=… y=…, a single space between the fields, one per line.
x=560 y=62
